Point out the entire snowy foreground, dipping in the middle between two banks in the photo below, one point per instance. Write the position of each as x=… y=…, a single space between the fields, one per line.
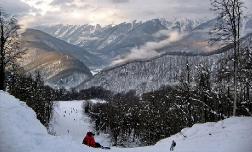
x=20 y=131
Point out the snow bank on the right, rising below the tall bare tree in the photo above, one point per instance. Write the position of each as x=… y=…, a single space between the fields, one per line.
x=230 y=135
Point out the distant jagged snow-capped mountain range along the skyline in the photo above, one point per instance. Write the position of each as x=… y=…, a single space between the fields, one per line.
x=117 y=41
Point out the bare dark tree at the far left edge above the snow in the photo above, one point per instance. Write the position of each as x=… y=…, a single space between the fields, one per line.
x=9 y=44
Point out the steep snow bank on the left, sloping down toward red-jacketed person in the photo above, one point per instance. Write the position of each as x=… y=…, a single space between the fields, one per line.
x=20 y=131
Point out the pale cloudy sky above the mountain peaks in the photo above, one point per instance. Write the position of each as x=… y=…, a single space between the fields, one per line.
x=37 y=12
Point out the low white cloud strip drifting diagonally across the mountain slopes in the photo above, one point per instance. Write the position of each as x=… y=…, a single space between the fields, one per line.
x=150 y=49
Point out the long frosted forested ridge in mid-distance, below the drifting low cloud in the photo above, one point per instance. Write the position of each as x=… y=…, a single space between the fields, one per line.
x=148 y=75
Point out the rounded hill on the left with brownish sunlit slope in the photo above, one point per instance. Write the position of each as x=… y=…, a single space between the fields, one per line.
x=61 y=64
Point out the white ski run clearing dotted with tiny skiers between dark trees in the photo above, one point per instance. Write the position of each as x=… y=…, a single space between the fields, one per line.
x=70 y=120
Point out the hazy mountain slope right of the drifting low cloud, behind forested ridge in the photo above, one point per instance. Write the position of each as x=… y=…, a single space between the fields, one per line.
x=197 y=40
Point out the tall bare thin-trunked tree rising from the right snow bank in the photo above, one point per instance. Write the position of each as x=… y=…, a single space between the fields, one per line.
x=227 y=29
